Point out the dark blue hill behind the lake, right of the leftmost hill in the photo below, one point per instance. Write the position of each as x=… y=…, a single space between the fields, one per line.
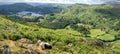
x=46 y=9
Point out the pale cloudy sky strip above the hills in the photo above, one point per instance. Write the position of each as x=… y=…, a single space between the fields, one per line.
x=61 y=1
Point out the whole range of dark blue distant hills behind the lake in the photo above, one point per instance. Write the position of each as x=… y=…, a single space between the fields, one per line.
x=33 y=7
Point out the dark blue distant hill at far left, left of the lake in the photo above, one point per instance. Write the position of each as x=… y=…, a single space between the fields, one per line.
x=14 y=8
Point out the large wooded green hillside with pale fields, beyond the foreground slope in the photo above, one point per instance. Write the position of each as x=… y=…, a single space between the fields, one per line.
x=86 y=19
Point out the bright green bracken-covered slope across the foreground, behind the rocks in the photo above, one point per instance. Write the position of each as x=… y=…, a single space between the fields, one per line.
x=58 y=38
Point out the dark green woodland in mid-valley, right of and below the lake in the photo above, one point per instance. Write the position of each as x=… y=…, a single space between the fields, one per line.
x=57 y=22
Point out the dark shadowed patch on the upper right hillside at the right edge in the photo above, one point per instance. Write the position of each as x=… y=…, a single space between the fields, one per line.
x=109 y=12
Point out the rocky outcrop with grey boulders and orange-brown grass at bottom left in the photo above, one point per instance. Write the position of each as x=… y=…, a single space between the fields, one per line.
x=23 y=46
